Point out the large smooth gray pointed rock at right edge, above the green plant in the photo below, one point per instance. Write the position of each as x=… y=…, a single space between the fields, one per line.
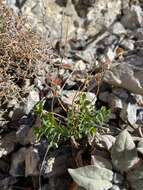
x=128 y=75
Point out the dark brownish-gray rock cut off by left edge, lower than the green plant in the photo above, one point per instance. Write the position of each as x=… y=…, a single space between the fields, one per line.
x=7 y=144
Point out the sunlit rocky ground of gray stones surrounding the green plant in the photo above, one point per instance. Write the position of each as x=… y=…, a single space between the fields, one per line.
x=93 y=46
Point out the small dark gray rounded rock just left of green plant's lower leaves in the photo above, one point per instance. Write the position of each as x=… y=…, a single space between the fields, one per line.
x=25 y=135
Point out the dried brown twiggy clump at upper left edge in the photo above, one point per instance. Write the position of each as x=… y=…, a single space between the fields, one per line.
x=20 y=51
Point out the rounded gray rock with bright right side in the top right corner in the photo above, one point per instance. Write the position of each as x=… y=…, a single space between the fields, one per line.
x=133 y=17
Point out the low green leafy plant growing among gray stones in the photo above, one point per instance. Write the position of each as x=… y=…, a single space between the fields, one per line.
x=82 y=121
